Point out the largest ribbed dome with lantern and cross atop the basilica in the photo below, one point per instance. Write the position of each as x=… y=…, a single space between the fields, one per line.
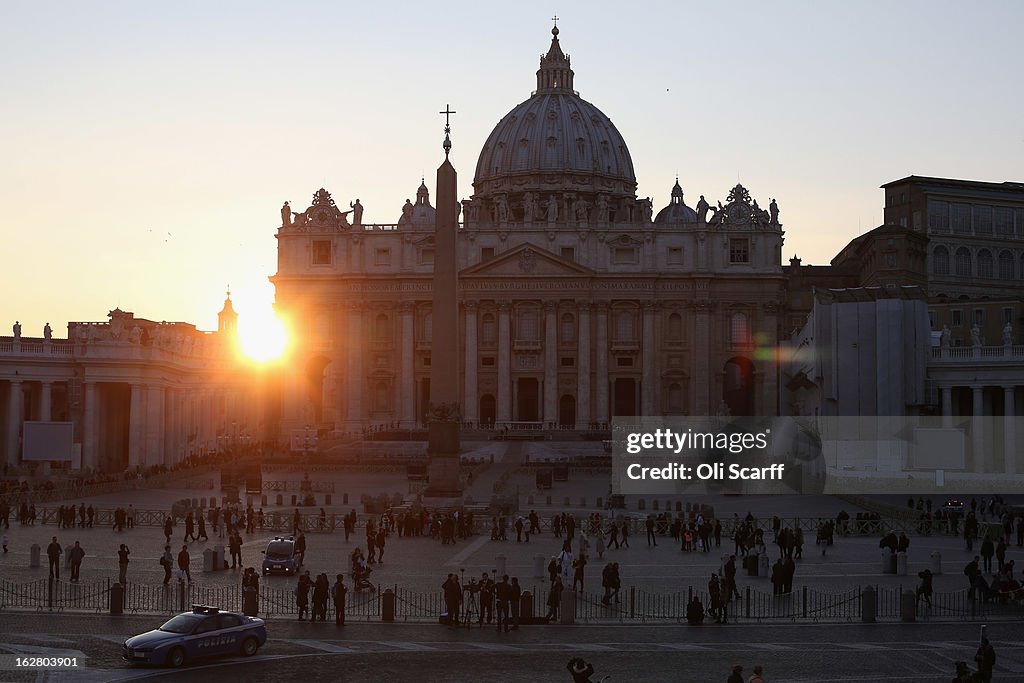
x=556 y=143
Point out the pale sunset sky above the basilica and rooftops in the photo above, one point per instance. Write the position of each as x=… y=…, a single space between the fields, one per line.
x=147 y=148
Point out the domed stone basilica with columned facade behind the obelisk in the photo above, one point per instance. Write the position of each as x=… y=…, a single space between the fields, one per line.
x=577 y=302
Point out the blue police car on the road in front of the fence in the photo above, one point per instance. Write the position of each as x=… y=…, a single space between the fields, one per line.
x=204 y=632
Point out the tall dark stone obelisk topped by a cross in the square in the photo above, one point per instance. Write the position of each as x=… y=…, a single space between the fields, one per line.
x=444 y=413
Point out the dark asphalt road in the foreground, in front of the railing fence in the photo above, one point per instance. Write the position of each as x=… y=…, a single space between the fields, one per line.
x=398 y=654
